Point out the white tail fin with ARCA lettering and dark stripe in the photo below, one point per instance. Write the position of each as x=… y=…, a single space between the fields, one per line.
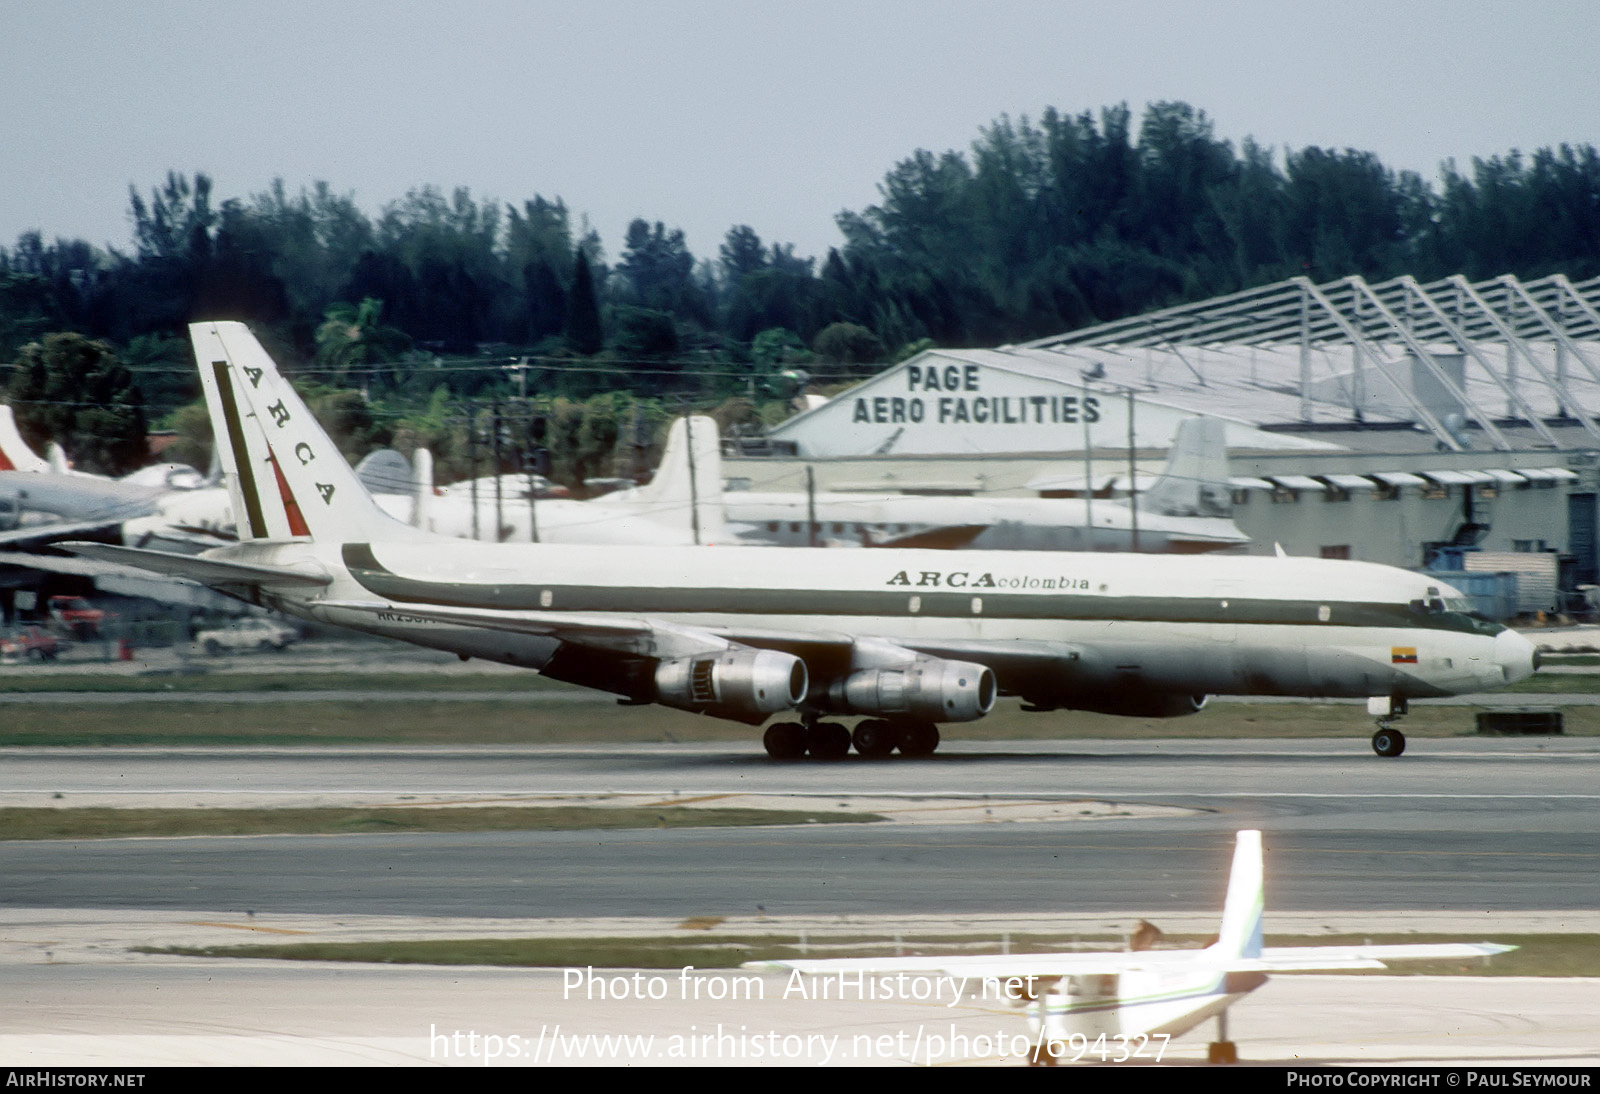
x=286 y=476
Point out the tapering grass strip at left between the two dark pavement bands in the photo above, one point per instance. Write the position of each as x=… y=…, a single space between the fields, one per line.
x=110 y=824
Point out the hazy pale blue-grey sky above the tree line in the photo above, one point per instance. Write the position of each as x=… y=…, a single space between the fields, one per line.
x=708 y=114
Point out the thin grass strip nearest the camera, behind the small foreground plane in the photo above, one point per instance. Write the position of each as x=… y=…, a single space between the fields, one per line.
x=1553 y=956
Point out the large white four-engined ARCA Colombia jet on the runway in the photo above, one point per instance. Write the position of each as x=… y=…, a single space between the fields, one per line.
x=906 y=639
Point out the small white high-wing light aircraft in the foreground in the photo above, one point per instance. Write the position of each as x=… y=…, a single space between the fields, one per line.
x=1113 y=1007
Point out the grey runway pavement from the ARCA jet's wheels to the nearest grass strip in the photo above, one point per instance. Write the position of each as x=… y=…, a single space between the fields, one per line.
x=1452 y=826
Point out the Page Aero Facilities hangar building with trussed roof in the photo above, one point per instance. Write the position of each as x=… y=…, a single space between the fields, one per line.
x=1396 y=423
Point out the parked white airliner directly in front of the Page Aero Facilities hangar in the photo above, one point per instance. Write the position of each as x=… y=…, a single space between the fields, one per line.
x=1186 y=511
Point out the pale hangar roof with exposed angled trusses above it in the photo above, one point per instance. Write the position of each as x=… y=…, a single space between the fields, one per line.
x=1444 y=356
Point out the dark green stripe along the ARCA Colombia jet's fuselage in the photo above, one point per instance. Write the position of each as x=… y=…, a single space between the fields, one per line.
x=946 y=605
